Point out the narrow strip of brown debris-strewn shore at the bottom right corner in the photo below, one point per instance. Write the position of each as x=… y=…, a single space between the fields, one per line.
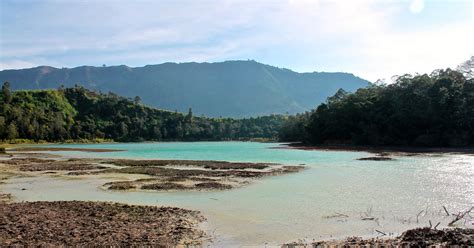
x=419 y=237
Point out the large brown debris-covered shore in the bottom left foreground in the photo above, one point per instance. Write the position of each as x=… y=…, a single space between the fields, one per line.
x=79 y=224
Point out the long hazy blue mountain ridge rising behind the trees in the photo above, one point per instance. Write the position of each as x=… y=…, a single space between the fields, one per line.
x=231 y=88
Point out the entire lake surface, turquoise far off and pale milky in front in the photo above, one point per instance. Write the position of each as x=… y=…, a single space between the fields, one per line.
x=289 y=207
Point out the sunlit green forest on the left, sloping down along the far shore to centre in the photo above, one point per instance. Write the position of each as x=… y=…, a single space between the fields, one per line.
x=80 y=114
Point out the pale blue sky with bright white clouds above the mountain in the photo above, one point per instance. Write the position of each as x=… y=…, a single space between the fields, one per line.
x=373 y=39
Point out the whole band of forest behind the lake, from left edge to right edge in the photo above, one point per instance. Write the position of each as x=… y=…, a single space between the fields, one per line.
x=419 y=110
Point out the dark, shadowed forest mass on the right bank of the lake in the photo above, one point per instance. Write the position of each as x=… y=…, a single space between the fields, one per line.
x=420 y=110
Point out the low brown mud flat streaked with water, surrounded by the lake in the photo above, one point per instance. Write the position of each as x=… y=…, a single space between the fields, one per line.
x=153 y=175
